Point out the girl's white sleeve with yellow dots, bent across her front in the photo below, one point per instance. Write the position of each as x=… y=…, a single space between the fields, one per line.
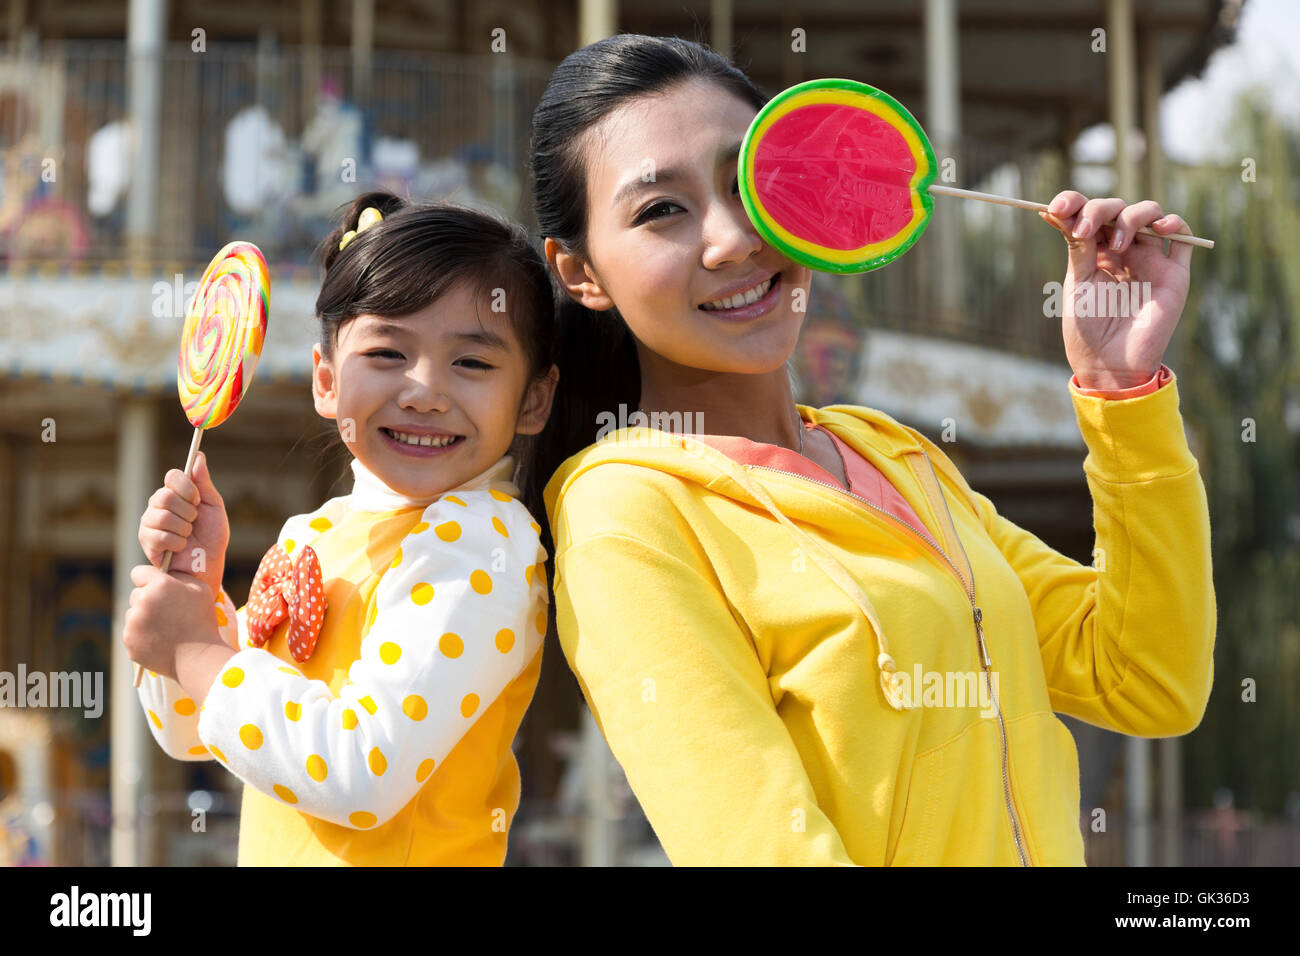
x=460 y=615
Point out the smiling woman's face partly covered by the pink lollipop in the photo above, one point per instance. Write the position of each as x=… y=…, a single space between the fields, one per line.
x=669 y=239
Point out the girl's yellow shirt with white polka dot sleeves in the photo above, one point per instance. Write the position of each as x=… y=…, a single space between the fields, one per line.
x=392 y=743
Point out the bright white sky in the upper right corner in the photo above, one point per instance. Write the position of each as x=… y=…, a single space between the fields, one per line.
x=1195 y=115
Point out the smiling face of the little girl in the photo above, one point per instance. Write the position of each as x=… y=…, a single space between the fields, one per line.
x=434 y=399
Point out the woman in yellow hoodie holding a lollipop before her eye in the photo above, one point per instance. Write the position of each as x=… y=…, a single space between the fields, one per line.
x=804 y=637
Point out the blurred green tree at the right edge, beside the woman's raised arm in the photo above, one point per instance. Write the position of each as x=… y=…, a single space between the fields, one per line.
x=1240 y=380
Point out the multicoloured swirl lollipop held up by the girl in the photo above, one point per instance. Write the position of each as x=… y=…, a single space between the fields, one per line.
x=226 y=327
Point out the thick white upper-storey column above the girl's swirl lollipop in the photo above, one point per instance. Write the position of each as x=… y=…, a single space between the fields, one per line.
x=145 y=37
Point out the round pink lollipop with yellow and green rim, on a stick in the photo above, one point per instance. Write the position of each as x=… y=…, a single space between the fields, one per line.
x=839 y=176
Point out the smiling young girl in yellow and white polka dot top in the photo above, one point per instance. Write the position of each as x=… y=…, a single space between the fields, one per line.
x=370 y=691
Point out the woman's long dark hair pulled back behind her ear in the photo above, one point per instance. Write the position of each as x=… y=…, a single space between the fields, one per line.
x=597 y=354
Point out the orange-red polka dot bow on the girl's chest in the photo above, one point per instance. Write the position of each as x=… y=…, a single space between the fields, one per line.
x=284 y=590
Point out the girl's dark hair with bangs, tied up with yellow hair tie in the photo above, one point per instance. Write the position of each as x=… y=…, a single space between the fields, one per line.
x=417 y=254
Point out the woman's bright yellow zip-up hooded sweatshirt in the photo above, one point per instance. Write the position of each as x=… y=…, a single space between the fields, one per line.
x=790 y=676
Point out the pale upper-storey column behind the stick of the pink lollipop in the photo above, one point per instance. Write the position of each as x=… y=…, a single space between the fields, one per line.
x=943 y=124
